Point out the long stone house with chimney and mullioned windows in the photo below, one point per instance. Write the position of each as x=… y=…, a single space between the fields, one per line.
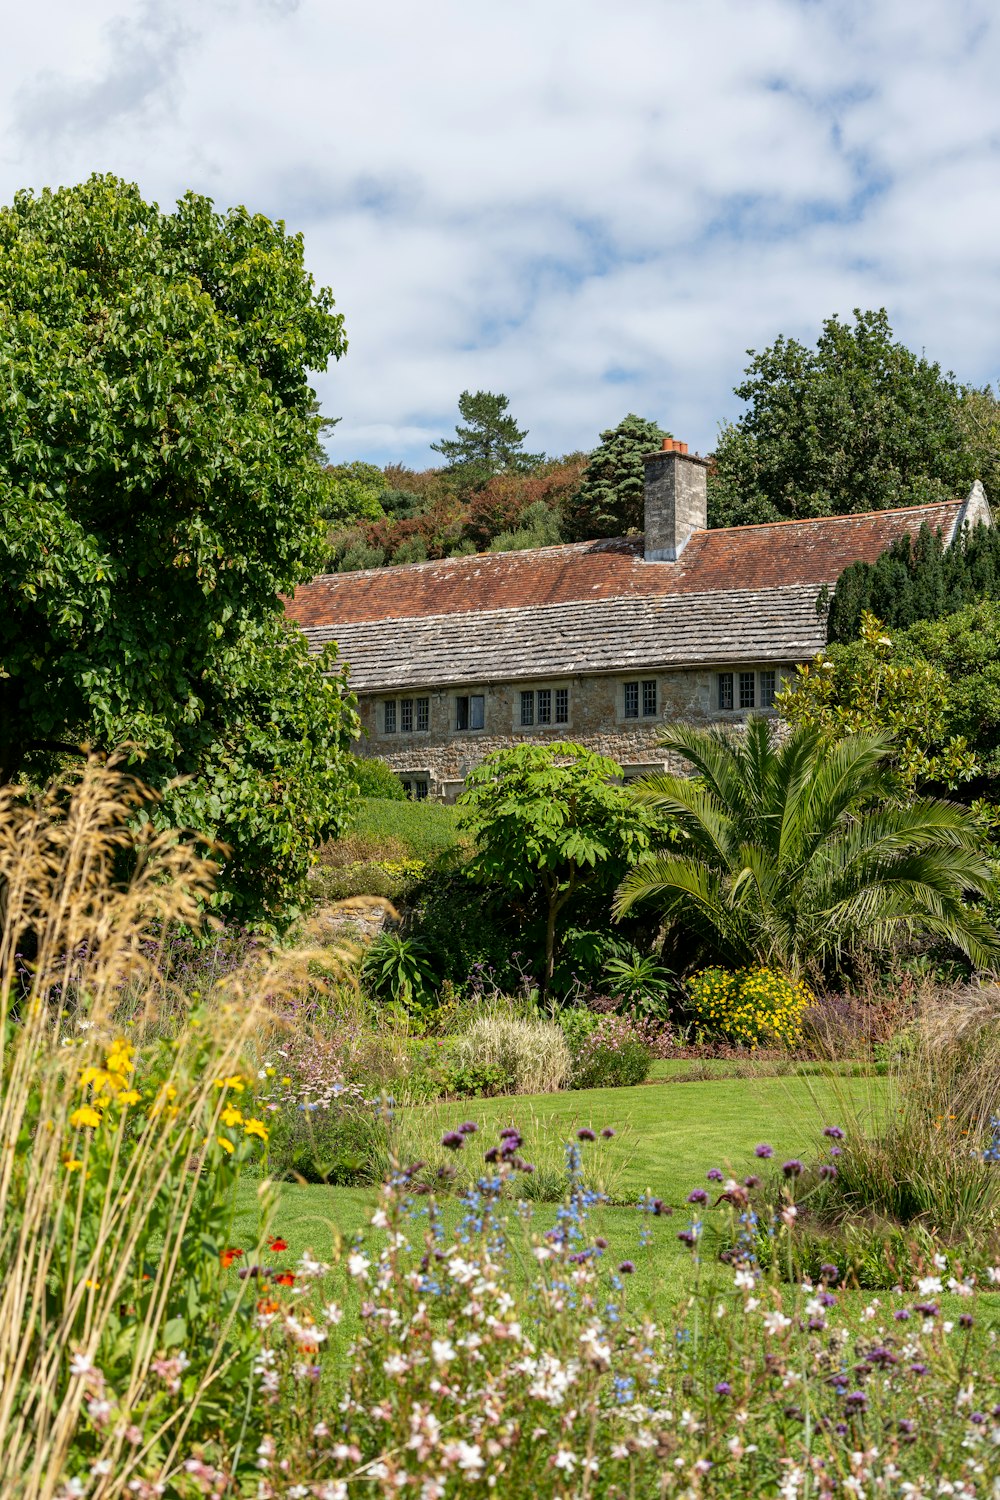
x=600 y=643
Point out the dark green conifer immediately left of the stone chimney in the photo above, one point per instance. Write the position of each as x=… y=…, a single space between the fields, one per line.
x=611 y=499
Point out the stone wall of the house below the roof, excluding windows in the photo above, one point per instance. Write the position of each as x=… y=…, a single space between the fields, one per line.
x=446 y=755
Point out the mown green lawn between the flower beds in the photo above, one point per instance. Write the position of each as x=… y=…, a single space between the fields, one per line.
x=668 y=1139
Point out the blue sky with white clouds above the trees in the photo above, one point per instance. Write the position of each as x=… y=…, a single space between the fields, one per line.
x=594 y=208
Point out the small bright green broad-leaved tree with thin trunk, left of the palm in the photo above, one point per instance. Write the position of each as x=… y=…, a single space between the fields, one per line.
x=546 y=820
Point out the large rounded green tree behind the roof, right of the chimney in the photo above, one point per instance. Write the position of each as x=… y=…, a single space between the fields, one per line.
x=857 y=424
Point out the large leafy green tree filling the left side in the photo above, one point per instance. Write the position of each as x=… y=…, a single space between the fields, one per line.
x=160 y=491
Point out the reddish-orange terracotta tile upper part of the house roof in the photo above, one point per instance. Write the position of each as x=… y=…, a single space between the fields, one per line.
x=788 y=554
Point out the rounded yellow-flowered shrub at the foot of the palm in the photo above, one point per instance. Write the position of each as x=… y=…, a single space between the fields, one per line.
x=749 y=1007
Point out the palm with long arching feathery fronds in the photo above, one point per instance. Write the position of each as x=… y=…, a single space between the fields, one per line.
x=792 y=854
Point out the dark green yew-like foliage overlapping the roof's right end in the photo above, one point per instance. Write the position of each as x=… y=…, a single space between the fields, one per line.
x=917 y=578
